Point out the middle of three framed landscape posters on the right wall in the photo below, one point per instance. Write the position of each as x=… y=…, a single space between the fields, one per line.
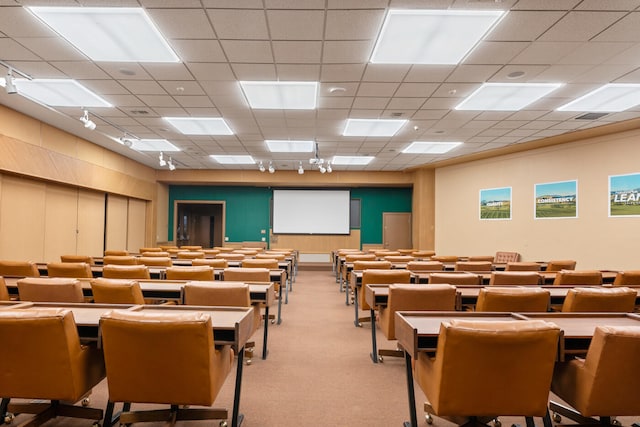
x=556 y=200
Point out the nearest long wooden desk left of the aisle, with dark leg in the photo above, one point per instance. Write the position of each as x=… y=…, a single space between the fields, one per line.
x=231 y=325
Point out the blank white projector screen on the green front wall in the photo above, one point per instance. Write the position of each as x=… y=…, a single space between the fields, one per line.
x=311 y=211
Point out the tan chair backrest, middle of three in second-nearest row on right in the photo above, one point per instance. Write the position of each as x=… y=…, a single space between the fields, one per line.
x=513 y=299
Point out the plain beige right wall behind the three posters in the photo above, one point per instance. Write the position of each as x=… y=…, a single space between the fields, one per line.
x=593 y=239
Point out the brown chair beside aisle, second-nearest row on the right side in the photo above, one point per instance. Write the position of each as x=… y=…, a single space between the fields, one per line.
x=408 y=297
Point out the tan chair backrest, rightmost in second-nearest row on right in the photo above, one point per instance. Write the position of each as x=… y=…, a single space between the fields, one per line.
x=615 y=299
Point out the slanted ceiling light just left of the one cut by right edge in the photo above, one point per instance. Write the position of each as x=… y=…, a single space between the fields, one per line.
x=506 y=96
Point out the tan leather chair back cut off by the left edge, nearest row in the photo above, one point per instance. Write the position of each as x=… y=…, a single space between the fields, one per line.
x=44 y=359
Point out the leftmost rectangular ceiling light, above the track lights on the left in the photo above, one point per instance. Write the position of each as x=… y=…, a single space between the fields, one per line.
x=59 y=93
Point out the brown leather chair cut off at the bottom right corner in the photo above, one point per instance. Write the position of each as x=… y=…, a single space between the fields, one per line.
x=586 y=384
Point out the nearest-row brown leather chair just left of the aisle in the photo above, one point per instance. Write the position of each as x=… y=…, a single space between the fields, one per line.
x=189 y=371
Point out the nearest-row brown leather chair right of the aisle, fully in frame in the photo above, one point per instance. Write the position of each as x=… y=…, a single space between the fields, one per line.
x=470 y=357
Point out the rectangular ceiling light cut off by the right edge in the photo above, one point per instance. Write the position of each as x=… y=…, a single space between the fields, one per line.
x=608 y=98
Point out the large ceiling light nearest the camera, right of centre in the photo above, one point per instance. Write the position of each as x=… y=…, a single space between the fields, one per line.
x=431 y=36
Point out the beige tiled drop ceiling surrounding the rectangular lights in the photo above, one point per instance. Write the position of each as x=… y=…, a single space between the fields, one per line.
x=583 y=44
